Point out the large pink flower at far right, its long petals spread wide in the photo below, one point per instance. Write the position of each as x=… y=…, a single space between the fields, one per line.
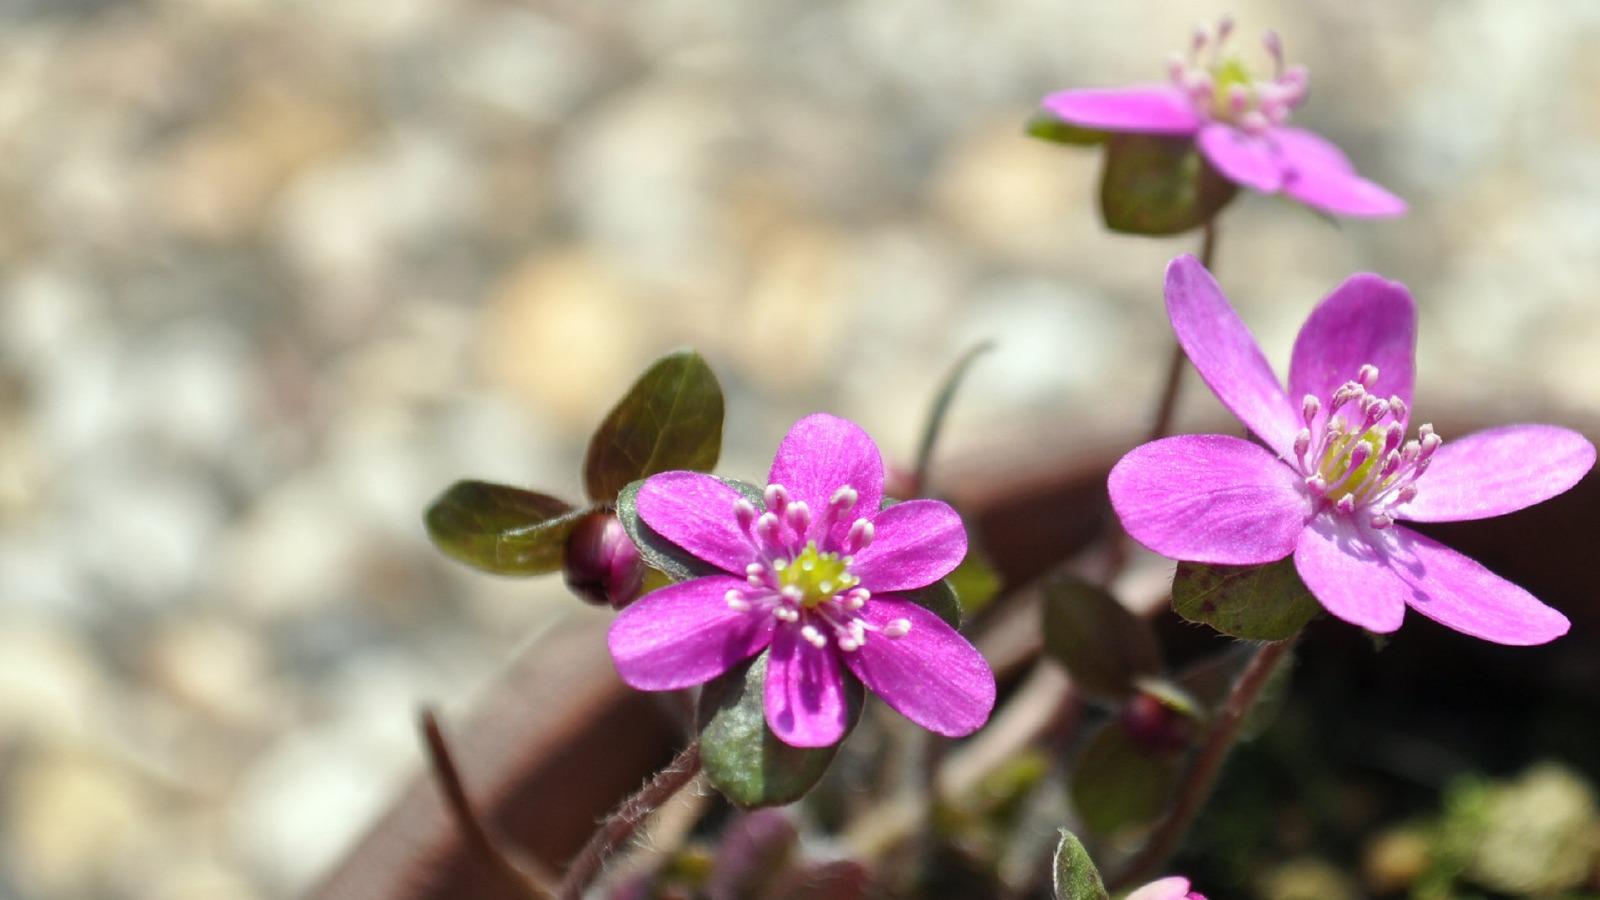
x=1338 y=472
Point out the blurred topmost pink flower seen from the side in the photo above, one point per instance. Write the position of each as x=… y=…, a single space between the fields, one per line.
x=1239 y=124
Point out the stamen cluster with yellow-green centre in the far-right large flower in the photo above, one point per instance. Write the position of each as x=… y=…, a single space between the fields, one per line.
x=1356 y=460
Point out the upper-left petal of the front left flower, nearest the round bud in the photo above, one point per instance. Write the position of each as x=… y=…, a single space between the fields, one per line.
x=695 y=512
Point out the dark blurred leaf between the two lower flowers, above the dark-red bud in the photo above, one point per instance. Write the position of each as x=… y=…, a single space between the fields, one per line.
x=1102 y=645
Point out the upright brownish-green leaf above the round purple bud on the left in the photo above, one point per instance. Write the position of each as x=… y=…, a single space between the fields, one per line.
x=671 y=419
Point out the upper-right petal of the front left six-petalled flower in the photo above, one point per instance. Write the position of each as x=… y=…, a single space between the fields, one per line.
x=914 y=544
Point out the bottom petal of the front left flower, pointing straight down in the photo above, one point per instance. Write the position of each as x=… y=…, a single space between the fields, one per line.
x=806 y=693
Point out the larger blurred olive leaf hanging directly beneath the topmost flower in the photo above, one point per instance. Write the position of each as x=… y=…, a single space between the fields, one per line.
x=1154 y=185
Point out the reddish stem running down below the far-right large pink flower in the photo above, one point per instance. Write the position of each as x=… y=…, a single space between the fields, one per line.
x=1202 y=776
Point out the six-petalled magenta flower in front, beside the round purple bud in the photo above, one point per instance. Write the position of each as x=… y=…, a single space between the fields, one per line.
x=815 y=576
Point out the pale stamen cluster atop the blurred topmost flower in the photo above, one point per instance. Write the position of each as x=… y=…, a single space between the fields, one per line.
x=1222 y=87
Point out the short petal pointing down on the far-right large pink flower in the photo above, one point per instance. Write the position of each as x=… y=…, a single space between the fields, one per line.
x=1350 y=576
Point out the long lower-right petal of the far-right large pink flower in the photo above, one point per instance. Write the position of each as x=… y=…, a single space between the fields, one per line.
x=1458 y=593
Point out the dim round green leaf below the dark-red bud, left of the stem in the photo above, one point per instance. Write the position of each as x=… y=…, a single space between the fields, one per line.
x=1121 y=787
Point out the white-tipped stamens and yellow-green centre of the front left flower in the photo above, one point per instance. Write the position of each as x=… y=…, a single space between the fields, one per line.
x=799 y=584
